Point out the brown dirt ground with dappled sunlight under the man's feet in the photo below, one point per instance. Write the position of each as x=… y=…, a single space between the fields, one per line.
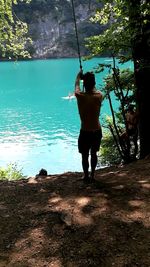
x=58 y=221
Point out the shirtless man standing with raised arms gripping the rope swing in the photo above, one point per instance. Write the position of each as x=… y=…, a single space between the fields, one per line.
x=89 y=103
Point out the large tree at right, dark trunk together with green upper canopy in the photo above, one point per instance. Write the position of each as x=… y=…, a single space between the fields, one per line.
x=127 y=37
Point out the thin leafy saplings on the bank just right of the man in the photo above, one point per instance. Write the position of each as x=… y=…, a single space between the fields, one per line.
x=121 y=84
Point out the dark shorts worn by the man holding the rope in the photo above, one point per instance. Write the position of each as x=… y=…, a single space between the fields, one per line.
x=89 y=140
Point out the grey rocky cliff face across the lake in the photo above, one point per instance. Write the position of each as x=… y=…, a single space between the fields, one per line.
x=52 y=28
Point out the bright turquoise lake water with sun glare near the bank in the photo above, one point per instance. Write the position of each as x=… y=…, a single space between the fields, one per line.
x=38 y=128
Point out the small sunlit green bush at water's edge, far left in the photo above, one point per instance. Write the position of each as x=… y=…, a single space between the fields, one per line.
x=11 y=172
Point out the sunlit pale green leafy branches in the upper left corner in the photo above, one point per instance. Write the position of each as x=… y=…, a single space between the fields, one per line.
x=13 y=31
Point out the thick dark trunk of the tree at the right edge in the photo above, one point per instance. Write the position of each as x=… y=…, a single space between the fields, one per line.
x=141 y=58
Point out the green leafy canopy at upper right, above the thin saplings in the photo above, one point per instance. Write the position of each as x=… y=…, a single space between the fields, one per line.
x=119 y=36
